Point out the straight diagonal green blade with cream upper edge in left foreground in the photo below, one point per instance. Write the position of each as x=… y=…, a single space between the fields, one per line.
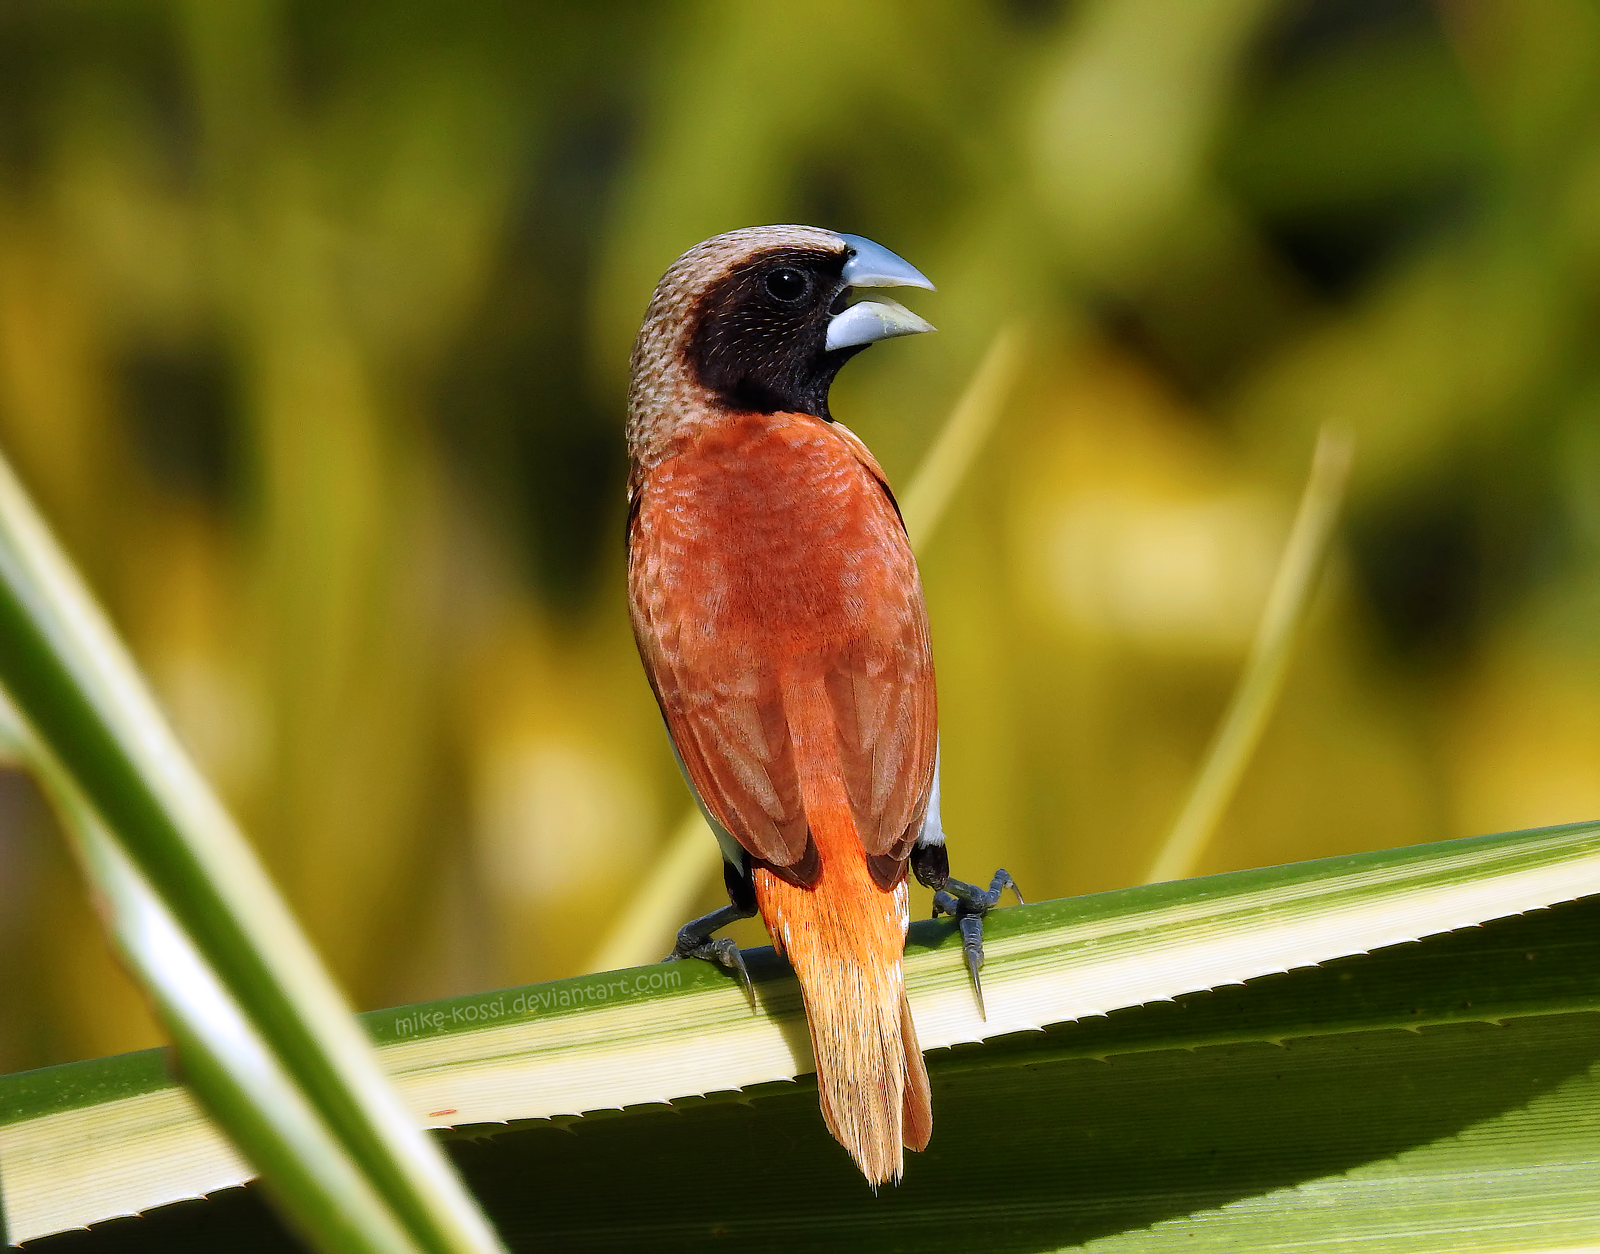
x=79 y=692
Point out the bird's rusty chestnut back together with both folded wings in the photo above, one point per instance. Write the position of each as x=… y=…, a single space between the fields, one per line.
x=769 y=559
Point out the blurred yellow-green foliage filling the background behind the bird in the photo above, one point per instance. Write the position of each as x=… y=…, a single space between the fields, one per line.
x=314 y=324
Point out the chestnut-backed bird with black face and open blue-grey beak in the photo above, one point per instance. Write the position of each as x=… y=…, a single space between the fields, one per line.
x=782 y=623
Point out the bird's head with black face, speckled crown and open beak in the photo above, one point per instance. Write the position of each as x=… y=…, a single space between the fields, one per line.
x=762 y=319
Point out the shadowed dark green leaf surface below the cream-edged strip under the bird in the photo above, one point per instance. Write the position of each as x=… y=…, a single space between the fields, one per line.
x=1188 y=1125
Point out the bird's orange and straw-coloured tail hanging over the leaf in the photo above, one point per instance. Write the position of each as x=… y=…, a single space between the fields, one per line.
x=846 y=938
